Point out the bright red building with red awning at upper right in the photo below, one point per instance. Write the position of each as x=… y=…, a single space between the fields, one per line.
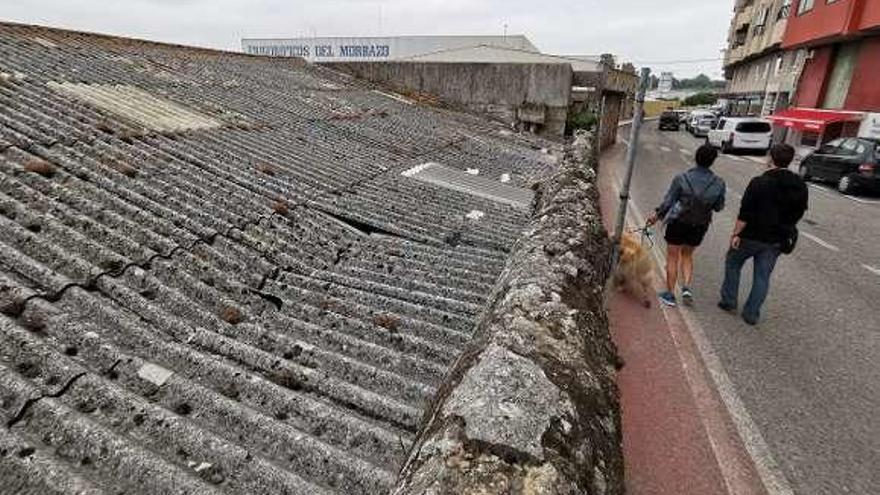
x=837 y=92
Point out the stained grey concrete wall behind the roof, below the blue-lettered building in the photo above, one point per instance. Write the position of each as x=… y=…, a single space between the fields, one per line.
x=516 y=93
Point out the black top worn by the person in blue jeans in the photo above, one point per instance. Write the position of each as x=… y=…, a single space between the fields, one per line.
x=773 y=201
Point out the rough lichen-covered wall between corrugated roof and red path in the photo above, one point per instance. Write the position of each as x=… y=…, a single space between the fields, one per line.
x=532 y=406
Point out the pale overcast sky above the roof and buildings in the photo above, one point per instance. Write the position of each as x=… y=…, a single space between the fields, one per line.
x=644 y=31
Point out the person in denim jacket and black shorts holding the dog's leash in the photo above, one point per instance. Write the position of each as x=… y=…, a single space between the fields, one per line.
x=687 y=211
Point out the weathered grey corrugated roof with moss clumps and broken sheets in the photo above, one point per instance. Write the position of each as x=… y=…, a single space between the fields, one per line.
x=214 y=277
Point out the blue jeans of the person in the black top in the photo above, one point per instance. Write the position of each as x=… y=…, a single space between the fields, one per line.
x=765 y=256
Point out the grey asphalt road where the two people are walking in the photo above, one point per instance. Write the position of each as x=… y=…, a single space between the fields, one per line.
x=809 y=375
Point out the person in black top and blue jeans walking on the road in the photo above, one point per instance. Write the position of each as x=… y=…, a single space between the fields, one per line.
x=772 y=205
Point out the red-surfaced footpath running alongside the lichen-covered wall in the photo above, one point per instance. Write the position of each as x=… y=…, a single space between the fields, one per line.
x=678 y=436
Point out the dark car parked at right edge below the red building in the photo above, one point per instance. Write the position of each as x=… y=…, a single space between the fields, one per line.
x=851 y=163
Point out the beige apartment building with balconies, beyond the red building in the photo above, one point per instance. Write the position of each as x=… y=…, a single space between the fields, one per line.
x=760 y=74
